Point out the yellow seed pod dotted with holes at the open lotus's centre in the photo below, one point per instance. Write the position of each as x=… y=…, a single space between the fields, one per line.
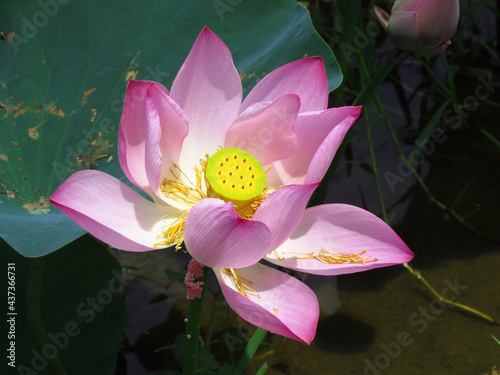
x=235 y=175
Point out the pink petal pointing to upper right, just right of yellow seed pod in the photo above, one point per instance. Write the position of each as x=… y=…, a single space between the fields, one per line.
x=319 y=136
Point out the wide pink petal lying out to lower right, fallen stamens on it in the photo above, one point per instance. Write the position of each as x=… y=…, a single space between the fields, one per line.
x=340 y=228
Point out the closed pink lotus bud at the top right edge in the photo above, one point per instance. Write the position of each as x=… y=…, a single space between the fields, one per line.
x=422 y=26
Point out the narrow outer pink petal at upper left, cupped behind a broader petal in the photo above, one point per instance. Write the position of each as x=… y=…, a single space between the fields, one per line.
x=132 y=133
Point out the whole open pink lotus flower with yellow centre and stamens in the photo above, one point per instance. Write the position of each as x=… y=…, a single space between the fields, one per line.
x=231 y=181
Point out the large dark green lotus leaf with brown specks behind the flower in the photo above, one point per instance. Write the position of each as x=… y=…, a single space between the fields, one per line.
x=64 y=70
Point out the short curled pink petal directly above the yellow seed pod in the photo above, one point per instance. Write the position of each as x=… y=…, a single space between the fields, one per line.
x=267 y=132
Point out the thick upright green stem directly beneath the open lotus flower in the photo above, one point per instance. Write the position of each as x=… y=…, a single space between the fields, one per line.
x=193 y=331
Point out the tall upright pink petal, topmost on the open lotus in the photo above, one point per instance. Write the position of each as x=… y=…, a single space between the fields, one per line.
x=208 y=89
